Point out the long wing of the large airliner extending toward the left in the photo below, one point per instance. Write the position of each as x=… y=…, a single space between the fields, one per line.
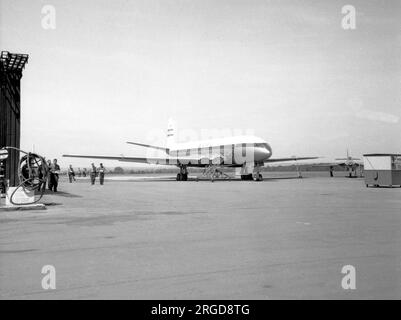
x=195 y=162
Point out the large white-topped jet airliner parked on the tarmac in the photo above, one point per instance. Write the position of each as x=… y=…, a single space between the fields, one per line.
x=249 y=153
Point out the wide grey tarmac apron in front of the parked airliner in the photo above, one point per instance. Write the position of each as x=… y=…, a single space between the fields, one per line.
x=281 y=238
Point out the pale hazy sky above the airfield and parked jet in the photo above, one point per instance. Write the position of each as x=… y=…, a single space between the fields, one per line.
x=114 y=71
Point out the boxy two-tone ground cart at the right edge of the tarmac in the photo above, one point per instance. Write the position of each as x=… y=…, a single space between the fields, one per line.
x=382 y=169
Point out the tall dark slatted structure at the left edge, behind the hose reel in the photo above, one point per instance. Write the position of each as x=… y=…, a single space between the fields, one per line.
x=11 y=66
